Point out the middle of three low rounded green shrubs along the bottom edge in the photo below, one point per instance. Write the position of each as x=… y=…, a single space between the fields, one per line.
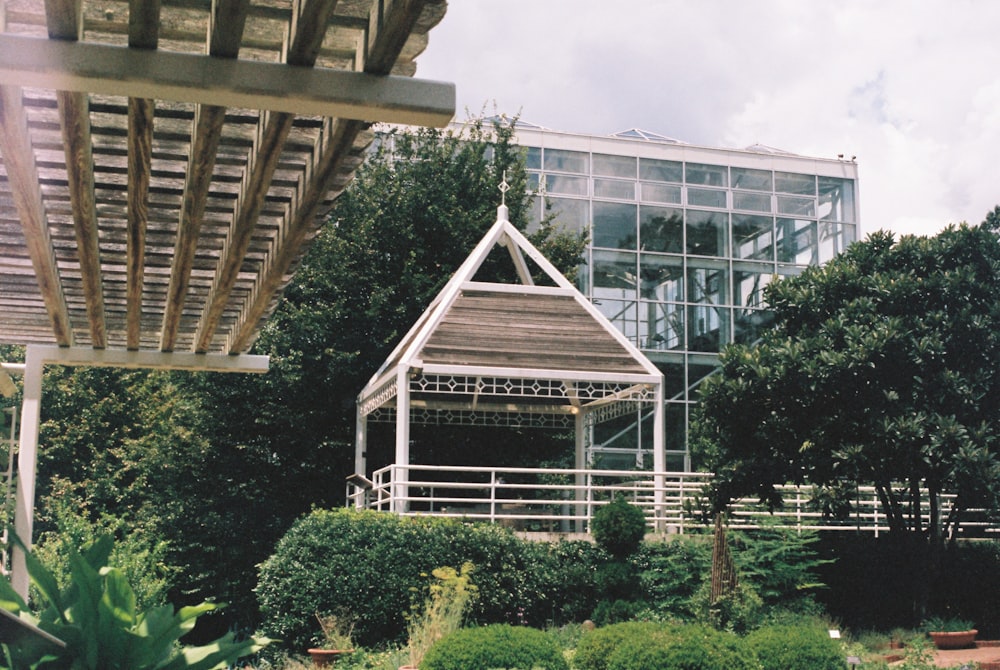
x=684 y=648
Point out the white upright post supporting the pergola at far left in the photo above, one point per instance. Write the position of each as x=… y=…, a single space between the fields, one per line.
x=27 y=460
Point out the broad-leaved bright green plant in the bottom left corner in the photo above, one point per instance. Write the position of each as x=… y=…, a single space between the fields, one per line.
x=96 y=616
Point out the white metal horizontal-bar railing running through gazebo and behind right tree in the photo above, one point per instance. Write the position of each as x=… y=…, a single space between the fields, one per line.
x=564 y=500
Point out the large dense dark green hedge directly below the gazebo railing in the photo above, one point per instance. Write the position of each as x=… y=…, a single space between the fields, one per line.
x=329 y=561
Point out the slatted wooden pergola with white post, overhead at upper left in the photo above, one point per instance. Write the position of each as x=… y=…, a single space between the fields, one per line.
x=165 y=163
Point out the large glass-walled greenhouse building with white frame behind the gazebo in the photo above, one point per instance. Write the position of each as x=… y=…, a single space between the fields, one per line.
x=683 y=240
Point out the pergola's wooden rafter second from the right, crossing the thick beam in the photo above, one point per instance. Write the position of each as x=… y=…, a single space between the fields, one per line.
x=309 y=22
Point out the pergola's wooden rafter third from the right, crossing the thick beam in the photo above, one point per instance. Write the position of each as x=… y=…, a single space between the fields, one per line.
x=228 y=22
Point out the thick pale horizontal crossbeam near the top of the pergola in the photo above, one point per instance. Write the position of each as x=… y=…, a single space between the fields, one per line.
x=121 y=71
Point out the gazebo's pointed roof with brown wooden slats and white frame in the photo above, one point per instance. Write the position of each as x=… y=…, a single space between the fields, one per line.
x=523 y=348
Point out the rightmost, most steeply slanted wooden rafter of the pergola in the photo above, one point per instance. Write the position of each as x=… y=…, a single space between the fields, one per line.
x=389 y=27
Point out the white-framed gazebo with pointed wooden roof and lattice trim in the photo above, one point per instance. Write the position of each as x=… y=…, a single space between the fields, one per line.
x=492 y=354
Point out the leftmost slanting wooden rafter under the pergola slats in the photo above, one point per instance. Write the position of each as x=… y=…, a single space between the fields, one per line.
x=22 y=174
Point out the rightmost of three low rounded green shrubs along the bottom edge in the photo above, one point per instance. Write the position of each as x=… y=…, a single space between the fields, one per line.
x=799 y=647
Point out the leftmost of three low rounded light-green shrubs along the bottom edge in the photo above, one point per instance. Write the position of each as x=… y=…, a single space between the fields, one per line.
x=495 y=646
